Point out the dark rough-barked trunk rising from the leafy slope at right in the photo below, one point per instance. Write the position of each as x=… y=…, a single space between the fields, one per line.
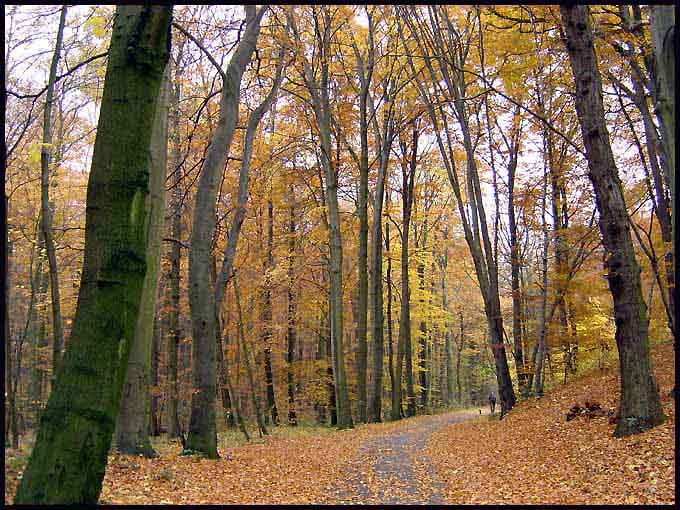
x=640 y=406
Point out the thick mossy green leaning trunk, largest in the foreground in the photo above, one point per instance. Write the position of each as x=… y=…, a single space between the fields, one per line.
x=68 y=461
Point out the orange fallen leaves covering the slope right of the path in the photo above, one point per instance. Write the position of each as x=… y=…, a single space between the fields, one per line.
x=535 y=456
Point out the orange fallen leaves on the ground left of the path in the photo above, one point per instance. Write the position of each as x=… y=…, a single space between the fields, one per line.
x=278 y=470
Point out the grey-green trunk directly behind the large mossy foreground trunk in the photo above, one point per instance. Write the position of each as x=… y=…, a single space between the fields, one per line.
x=132 y=427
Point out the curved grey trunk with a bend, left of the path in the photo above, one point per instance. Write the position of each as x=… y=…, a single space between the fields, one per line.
x=202 y=435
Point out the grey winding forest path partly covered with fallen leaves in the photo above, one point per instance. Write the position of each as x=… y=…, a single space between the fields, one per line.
x=393 y=469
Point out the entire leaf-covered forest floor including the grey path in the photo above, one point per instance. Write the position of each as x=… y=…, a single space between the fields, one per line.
x=532 y=456
